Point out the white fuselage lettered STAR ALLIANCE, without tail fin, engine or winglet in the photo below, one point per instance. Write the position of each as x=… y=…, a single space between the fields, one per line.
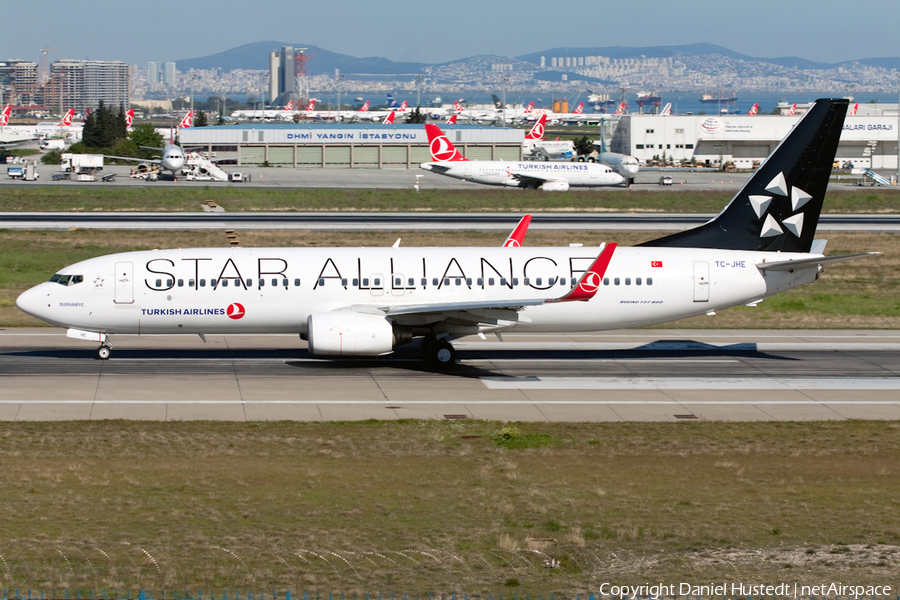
x=275 y=290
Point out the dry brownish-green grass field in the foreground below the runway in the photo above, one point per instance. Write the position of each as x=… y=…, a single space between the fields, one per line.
x=446 y=506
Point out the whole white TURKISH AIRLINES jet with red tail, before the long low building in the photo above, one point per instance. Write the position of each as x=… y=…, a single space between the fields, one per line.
x=550 y=177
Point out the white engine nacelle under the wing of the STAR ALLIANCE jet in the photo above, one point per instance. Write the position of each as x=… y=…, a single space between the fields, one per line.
x=349 y=333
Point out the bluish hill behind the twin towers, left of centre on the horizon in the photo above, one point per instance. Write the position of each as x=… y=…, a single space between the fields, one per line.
x=255 y=56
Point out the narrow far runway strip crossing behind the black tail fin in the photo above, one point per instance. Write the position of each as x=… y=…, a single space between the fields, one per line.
x=360 y=221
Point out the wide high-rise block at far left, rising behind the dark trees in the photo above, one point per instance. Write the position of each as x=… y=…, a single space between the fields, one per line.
x=82 y=84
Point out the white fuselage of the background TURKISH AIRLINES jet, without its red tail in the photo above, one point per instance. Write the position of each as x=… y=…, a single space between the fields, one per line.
x=525 y=173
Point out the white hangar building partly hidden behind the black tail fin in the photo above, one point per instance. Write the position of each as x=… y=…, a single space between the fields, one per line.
x=867 y=140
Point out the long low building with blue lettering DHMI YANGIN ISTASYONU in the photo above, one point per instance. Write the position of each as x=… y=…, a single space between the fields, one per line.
x=343 y=146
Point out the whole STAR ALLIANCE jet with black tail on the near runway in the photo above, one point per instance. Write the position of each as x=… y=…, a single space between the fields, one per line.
x=366 y=301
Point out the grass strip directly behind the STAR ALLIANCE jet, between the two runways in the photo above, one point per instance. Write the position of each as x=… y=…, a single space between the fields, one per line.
x=861 y=294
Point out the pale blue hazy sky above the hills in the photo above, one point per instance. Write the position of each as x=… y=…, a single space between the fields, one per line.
x=426 y=31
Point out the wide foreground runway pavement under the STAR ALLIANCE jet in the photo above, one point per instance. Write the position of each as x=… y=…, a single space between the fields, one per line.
x=636 y=375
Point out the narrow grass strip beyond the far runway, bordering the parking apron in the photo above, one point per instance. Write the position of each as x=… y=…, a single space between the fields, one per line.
x=237 y=198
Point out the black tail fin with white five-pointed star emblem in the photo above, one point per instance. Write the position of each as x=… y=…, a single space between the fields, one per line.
x=778 y=208
